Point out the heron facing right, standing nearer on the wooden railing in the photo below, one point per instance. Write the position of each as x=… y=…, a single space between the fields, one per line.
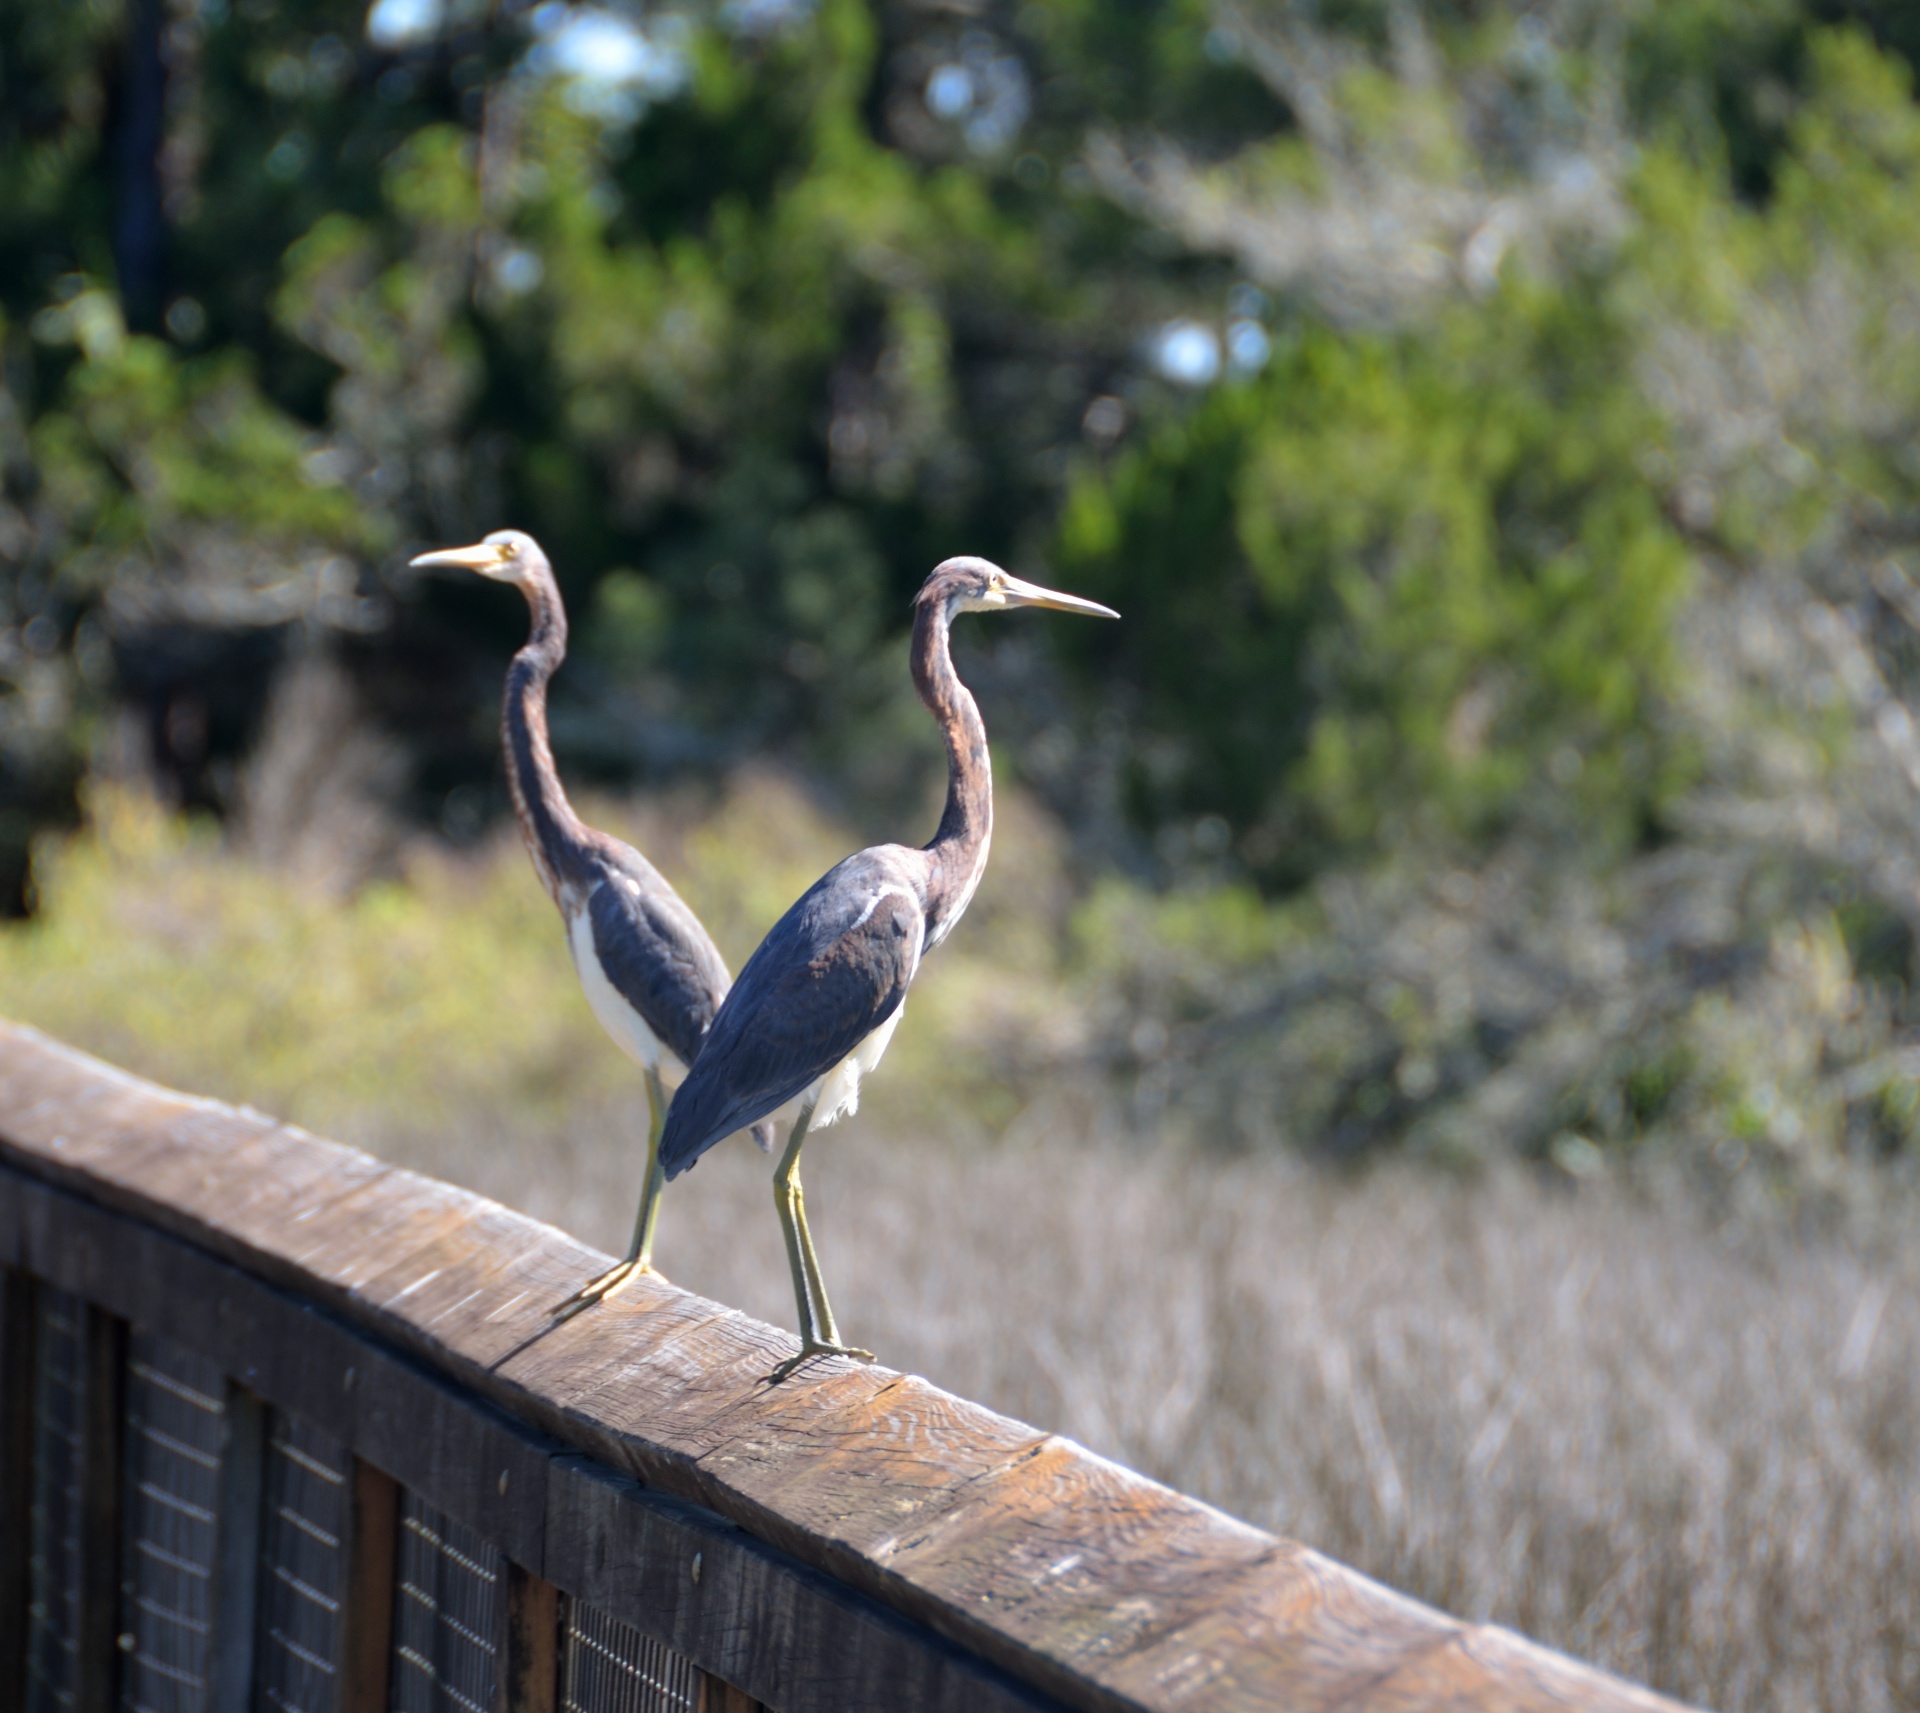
x=817 y=1005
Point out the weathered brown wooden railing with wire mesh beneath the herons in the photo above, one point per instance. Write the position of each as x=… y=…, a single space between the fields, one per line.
x=260 y=1449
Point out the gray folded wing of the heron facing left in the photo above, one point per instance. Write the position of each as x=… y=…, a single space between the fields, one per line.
x=660 y=959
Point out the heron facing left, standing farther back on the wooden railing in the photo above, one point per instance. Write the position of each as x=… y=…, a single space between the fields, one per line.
x=650 y=969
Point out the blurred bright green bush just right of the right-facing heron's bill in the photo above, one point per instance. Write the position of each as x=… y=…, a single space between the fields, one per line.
x=1428 y=573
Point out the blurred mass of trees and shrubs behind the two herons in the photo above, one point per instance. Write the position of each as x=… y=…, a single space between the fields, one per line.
x=1495 y=422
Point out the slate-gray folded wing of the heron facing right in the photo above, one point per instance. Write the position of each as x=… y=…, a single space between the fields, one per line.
x=834 y=969
